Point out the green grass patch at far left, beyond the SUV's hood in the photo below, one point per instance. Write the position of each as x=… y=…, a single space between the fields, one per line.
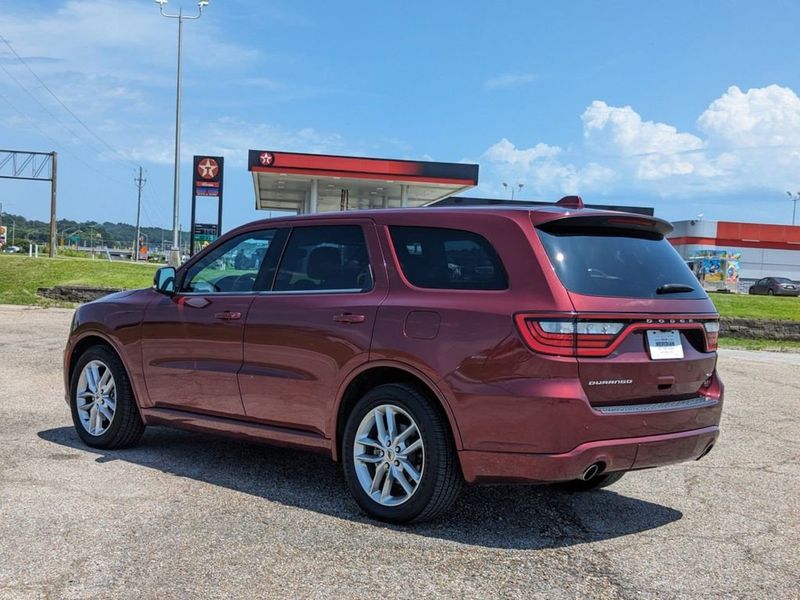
x=20 y=276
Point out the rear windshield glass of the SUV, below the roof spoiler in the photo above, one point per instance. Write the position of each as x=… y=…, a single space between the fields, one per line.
x=619 y=263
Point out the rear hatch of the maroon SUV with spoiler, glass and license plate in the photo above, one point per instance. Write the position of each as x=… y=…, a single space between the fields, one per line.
x=643 y=329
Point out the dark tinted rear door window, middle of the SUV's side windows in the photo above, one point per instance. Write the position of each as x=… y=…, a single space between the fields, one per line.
x=325 y=258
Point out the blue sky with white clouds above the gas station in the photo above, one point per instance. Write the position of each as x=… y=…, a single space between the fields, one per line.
x=689 y=107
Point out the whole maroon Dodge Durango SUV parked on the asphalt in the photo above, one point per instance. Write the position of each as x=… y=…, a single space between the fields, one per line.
x=421 y=348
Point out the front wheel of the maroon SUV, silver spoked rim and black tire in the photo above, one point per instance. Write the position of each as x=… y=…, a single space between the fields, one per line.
x=90 y=411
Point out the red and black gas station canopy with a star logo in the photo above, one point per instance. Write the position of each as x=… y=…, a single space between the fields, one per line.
x=309 y=183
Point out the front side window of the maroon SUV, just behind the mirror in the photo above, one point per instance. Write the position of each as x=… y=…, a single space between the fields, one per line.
x=230 y=267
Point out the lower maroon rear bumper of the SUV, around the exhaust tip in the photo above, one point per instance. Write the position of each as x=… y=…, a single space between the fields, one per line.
x=617 y=455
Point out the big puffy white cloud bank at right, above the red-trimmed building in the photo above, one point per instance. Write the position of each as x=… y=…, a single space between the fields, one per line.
x=745 y=141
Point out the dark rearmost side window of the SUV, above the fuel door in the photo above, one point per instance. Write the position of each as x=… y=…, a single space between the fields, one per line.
x=433 y=257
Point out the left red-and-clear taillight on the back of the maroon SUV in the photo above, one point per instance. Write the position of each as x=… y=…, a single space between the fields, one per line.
x=568 y=337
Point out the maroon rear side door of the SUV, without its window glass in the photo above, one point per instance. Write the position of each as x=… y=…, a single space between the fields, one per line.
x=299 y=346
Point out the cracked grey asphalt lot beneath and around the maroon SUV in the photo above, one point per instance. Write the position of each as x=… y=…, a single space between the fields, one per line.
x=185 y=515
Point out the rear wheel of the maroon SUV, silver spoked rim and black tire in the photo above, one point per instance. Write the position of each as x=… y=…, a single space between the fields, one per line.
x=435 y=462
